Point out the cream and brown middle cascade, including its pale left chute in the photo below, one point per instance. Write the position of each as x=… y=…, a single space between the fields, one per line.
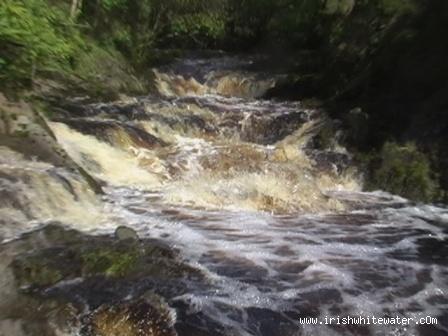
x=206 y=162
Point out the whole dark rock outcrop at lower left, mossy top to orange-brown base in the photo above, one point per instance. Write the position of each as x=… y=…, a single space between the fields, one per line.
x=54 y=275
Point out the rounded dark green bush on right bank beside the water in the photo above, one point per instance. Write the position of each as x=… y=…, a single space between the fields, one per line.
x=405 y=171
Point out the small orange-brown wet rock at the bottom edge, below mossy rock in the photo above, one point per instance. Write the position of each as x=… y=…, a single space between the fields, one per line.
x=138 y=318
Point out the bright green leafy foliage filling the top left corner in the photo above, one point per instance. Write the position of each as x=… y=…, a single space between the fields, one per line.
x=34 y=37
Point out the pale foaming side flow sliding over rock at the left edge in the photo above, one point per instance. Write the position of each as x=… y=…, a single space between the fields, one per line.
x=35 y=192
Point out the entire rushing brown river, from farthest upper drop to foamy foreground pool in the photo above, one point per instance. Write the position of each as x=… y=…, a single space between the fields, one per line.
x=234 y=184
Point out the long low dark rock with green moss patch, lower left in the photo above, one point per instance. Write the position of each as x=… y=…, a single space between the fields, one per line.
x=53 y=248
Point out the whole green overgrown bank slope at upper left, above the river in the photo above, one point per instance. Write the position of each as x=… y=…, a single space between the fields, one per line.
x=39 y=39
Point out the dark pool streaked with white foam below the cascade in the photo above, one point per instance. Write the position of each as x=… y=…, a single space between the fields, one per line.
x=372 y=262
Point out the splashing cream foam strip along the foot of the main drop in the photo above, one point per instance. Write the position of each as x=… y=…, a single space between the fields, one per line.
x=250 y=191
